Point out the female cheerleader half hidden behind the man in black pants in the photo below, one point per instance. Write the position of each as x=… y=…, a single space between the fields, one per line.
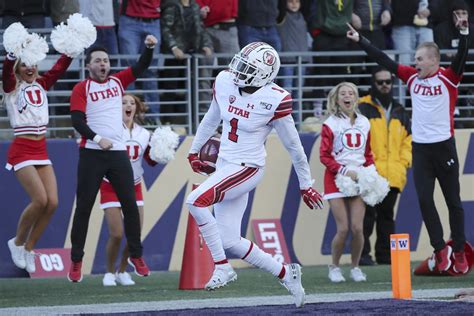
x=134 y=134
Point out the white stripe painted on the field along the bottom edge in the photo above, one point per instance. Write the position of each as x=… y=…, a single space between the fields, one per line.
x=215 y=303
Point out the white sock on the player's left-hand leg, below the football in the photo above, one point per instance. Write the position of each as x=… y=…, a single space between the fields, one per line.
x=208 y=228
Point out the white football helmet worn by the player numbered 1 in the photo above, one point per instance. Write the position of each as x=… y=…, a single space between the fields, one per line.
x=256 y=65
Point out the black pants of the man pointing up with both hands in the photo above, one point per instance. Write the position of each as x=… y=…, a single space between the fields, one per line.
x=439 y=161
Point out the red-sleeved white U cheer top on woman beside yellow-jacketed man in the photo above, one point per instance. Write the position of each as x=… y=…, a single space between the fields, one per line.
x=350 y=142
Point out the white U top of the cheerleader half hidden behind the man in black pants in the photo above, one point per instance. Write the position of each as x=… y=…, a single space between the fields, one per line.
x=136 y=141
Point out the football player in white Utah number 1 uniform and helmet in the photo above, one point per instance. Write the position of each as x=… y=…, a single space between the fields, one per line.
x=250 y=106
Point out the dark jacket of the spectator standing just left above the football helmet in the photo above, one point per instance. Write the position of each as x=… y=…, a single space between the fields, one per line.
x=173 y=28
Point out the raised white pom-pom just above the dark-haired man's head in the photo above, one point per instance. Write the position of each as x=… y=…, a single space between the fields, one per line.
x=73 y=38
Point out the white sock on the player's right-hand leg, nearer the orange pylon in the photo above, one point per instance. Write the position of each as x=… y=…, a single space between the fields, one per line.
x=256 y=256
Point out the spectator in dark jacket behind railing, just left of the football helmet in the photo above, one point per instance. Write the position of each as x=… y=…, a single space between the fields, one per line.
x=184 y=33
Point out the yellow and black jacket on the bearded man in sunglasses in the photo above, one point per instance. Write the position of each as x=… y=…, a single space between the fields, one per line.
x=390 y=143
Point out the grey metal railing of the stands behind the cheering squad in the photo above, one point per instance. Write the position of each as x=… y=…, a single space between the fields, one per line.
x=185 y=89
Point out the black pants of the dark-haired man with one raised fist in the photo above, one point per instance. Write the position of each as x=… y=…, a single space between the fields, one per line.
x=93 y=166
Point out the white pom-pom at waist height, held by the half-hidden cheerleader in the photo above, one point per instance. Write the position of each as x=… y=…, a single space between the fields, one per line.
x=163 y=144
